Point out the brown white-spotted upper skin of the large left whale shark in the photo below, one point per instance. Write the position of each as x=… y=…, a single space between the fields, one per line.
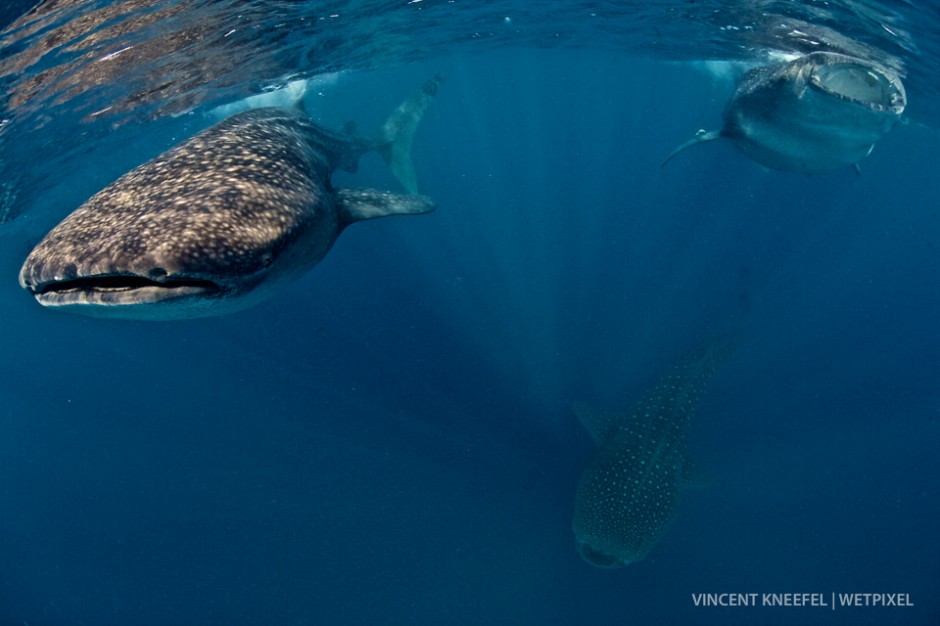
x=241 y=190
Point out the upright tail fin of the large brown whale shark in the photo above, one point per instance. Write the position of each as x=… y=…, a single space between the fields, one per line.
x=398 y=133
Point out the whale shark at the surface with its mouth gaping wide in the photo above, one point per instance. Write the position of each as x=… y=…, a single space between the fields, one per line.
x=815 y=114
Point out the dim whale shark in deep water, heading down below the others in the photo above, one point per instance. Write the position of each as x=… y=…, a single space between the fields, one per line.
x=627 y=494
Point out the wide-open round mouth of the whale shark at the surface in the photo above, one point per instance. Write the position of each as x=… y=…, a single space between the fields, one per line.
x=858 y=83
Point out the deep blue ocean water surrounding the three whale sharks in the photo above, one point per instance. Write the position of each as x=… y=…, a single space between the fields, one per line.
x=391 y=439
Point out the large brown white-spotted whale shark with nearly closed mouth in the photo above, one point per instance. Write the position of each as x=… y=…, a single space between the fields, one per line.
x=222 y=220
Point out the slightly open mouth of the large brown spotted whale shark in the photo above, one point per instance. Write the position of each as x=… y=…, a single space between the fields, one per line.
x=121 y=289
